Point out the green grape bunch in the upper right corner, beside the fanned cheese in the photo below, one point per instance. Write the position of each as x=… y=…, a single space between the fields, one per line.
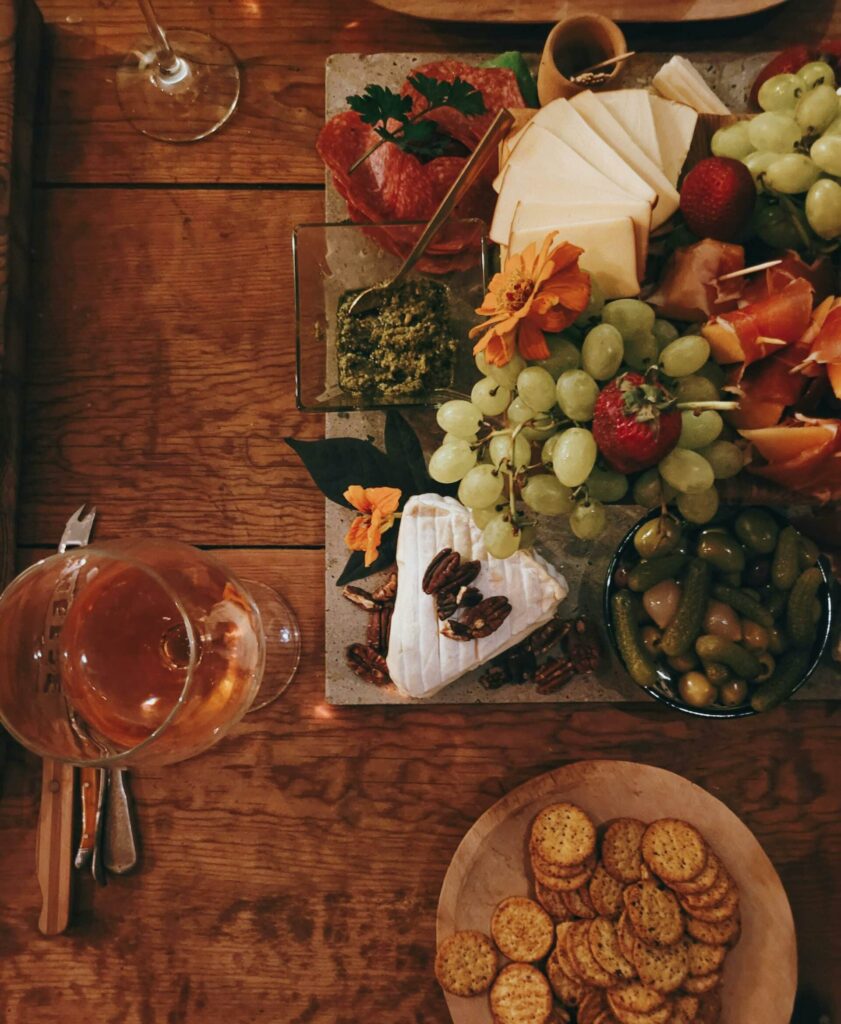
x=793 y=151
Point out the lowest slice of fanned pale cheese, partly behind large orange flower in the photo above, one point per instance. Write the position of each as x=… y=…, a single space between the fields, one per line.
x=609 y=252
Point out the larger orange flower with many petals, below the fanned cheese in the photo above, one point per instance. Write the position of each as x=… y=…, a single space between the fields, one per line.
x=535 y=292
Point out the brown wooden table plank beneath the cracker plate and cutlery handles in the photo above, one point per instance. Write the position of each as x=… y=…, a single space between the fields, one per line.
x=292 y=874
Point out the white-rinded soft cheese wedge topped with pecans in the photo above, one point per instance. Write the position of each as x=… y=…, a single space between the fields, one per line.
x=422 y=661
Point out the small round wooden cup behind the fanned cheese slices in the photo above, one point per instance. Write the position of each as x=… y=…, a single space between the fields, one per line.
x=574 y=45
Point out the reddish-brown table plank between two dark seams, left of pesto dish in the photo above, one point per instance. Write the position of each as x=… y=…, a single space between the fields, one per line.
x=161 y=376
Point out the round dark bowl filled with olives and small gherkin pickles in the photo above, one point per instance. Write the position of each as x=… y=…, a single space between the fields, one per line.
x=725 y=620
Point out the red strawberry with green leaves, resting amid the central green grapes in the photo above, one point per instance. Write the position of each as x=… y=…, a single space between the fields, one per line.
x=636 y=423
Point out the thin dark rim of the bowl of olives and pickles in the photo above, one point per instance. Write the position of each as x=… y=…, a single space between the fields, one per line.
x=745 y=711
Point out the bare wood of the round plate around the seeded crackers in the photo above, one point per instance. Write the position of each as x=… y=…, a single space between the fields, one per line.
x=761 y=973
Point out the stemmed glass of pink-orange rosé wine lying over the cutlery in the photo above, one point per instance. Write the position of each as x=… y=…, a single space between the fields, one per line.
x=138 y=653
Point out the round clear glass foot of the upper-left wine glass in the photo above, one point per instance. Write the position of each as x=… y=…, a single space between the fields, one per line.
x=190 y=104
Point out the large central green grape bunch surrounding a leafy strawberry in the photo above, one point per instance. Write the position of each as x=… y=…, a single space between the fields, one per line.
x=522 y=446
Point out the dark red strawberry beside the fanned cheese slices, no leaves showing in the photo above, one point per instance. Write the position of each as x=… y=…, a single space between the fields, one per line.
x=718 y=199
